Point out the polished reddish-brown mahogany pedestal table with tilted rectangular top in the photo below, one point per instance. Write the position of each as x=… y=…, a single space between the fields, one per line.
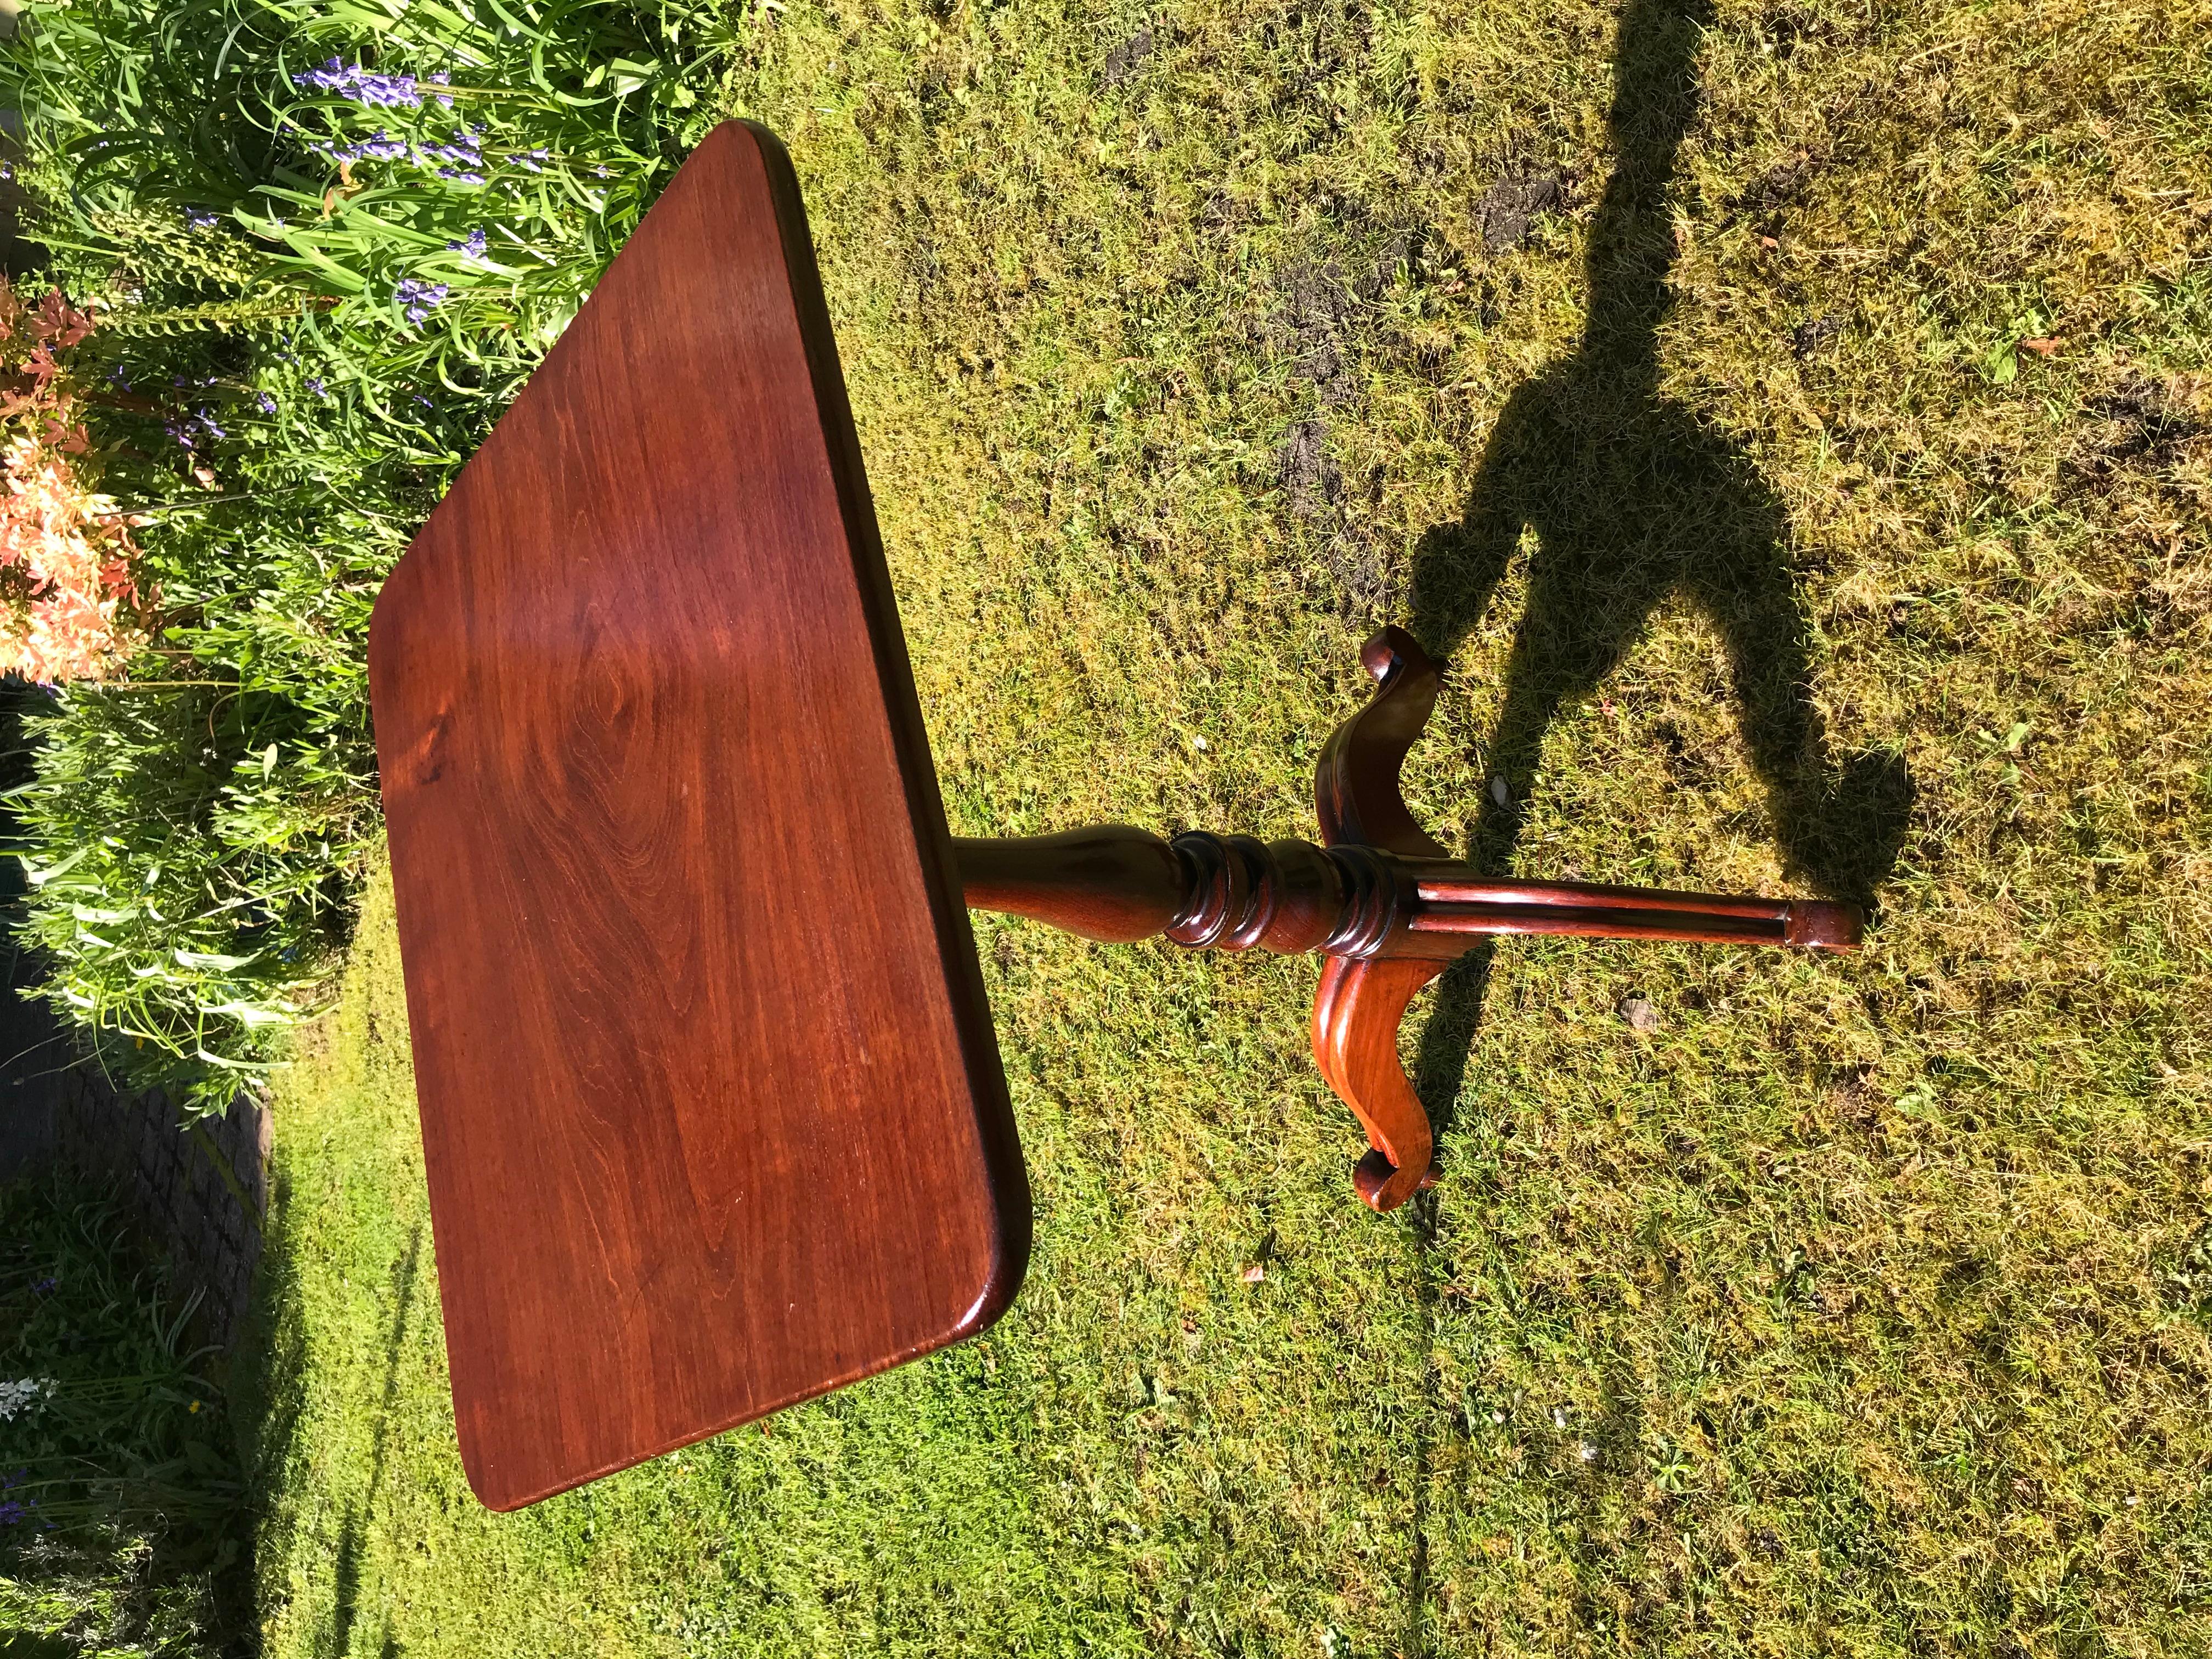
x=711 y=1107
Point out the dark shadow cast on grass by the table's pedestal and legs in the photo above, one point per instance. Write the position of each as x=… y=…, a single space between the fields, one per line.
x=1634 y=501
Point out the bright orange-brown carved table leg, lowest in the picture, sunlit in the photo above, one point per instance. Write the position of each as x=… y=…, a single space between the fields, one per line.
x=1357 y=1016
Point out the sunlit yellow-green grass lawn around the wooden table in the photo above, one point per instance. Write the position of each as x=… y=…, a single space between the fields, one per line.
x=1795 y=426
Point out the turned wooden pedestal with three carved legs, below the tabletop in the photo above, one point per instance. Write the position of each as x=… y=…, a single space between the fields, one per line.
x=1384 y=901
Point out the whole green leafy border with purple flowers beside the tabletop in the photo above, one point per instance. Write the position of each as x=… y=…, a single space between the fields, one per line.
x=313 y=311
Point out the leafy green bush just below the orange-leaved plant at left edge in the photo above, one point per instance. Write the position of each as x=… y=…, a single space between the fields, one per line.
x=207 y=839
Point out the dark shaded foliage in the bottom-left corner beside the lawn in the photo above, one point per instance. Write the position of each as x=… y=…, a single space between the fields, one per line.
x=123 y=1488
